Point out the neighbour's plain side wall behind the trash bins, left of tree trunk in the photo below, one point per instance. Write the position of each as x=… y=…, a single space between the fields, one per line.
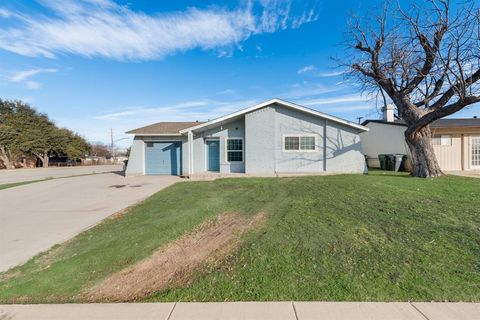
x=383 y=139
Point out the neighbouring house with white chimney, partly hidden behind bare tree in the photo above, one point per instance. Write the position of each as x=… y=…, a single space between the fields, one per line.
x=456 y=141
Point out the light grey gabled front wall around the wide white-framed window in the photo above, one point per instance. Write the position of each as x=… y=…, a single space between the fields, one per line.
x=338 y=147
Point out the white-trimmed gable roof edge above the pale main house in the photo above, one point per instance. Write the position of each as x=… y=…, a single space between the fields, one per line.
x=282 y=103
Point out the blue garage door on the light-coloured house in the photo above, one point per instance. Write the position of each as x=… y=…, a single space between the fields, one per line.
x=163 y=158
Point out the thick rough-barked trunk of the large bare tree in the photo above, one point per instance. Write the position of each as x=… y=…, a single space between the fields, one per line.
x=425 y=163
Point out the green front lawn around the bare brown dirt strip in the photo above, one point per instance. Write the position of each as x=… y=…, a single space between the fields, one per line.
x=347 y=237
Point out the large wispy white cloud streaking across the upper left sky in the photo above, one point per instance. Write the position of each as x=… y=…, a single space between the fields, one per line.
x=104 y=28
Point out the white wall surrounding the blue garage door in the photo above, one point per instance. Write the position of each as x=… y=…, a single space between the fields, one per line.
x=136 y=161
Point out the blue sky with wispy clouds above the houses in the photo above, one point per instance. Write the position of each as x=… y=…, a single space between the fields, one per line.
x=93 y=65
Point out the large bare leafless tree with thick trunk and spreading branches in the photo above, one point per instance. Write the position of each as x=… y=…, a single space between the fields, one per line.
x=425 y=59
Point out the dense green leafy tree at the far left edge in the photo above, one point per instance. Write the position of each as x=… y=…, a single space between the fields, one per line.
x=23 y=130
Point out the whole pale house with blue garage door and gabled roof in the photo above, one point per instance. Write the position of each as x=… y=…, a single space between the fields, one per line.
x=272 y=137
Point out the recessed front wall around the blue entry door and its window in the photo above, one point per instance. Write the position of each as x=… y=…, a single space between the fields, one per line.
x=233 y=129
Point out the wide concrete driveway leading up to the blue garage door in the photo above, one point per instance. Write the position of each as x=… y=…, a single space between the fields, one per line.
x=34 y=217
